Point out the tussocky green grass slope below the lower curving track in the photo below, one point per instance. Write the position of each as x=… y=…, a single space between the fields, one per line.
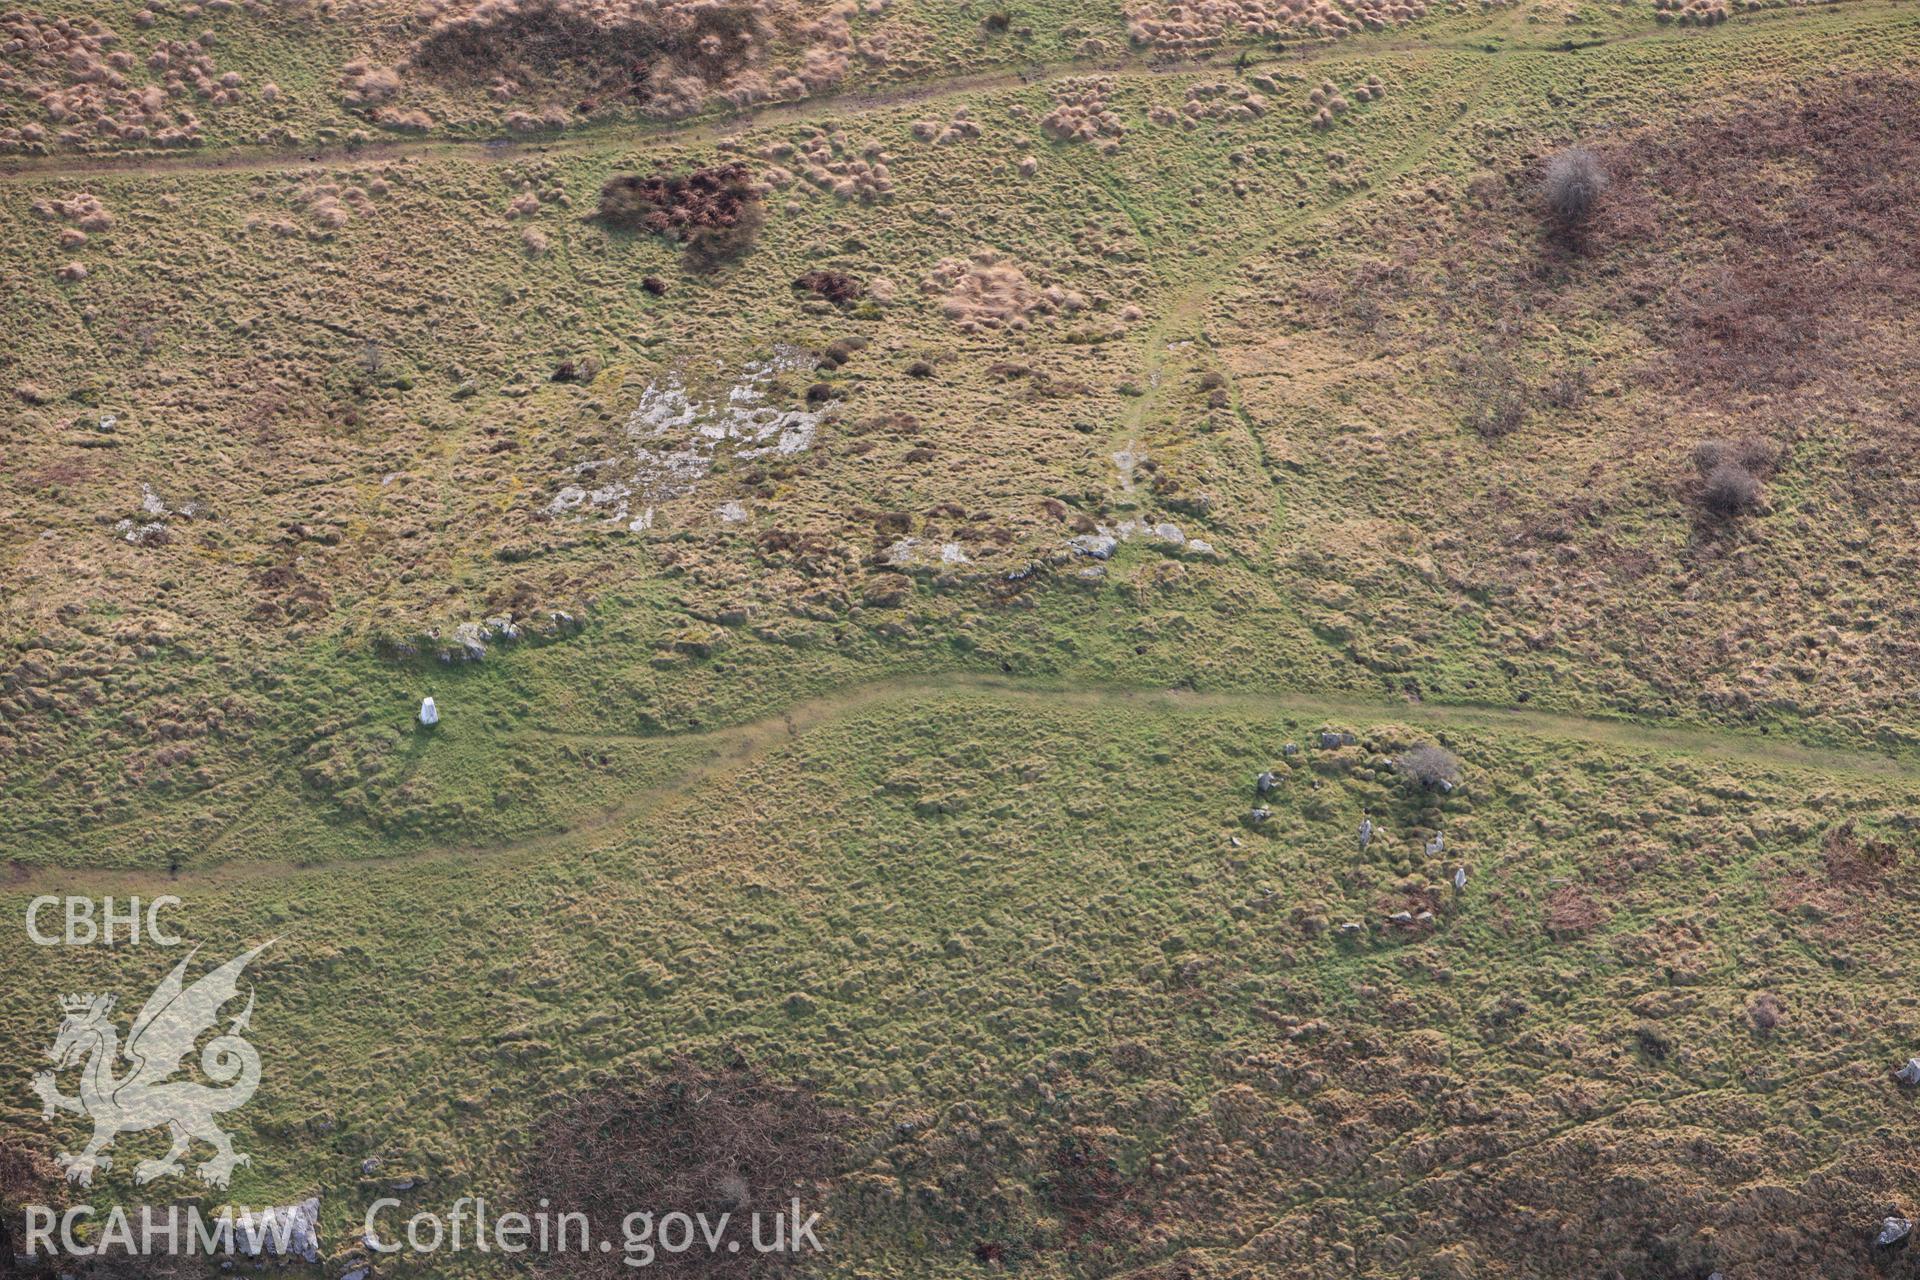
x=984 y=891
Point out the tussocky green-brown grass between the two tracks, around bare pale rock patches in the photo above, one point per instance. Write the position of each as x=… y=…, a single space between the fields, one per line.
x=239 y=366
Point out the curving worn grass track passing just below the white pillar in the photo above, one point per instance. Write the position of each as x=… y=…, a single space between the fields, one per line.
x=736 y=747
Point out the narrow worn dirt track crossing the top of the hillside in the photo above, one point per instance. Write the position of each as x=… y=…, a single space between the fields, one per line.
x=1141 y=62
